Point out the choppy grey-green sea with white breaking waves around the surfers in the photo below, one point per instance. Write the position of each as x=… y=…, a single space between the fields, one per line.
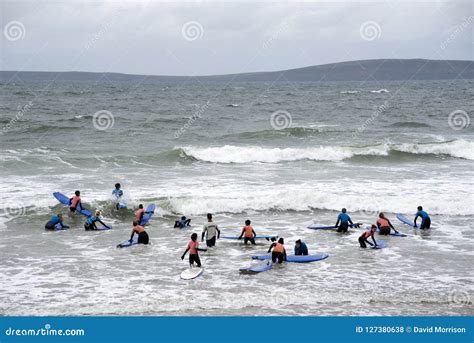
x=284 y=155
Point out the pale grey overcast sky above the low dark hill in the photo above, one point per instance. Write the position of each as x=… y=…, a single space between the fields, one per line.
x=218 y=37
